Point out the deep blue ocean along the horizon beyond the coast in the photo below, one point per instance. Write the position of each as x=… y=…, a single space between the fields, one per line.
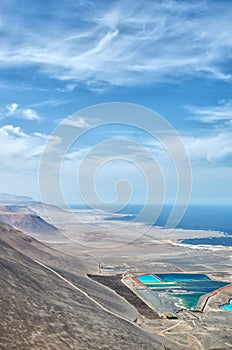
x=196 y=217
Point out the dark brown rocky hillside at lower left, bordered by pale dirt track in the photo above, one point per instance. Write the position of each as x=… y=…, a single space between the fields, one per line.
x=40 y=311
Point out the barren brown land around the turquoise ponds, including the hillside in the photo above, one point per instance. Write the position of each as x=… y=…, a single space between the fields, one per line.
x=55 y=305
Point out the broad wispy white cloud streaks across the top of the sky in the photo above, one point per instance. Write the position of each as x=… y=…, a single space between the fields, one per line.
x=123 y=42
